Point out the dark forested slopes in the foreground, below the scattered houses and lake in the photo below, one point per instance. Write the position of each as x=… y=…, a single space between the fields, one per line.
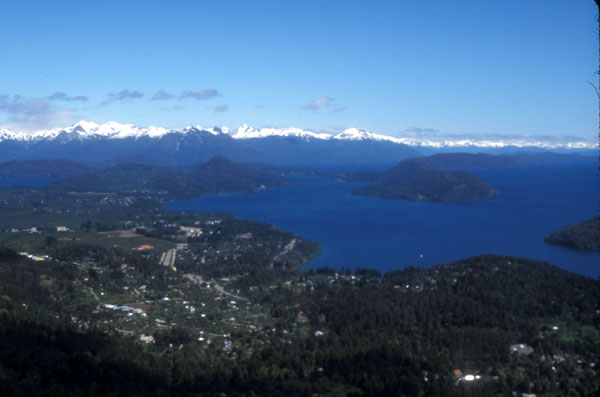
x=400 y=333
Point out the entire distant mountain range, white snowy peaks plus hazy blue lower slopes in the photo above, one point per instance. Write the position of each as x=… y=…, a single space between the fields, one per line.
x=91 y=142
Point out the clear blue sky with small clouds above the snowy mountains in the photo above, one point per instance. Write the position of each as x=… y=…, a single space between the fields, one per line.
x=392 y=67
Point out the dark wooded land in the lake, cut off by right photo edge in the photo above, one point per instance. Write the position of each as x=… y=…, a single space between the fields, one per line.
x=582 y=235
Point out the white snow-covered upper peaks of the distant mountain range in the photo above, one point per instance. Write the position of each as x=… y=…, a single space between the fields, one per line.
x=114 y=130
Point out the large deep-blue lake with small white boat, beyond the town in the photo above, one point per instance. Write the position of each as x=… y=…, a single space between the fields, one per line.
x=392 y=234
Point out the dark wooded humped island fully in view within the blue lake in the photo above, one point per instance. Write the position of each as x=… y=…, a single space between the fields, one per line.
x=415 y=181
